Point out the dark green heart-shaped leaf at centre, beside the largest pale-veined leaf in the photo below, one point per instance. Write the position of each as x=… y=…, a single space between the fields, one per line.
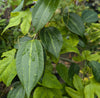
x=52 y=40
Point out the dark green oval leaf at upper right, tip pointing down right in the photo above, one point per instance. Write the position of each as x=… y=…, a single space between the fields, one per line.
x=74 y=23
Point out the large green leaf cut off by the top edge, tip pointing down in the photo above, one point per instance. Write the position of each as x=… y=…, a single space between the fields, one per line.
x=42 y=12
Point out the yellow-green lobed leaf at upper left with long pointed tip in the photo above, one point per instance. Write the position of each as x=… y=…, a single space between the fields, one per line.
x=16 y=18
